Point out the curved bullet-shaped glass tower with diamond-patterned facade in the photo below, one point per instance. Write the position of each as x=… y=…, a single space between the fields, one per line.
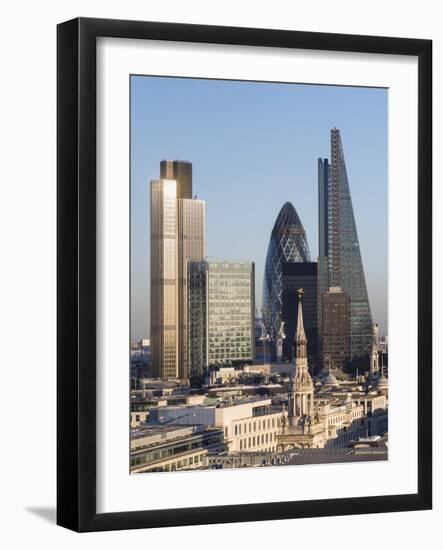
x=288 y=243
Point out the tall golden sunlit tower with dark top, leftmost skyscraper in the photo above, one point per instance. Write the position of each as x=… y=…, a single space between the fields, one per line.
x=177 y=236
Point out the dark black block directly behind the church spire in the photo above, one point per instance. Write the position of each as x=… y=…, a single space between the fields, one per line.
x=296 y=275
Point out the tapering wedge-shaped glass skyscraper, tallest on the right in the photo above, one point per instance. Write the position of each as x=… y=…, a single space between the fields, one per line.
x=340 y=263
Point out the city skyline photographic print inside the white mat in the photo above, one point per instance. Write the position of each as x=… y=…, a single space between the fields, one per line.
x=259 y=301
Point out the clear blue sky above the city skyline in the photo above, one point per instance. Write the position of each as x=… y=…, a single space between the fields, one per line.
x=253 y=147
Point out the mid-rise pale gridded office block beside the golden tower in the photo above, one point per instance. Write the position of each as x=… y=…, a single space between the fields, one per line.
x=221 y=314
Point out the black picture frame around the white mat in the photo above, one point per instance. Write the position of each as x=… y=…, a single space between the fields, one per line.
x=76 y=273
